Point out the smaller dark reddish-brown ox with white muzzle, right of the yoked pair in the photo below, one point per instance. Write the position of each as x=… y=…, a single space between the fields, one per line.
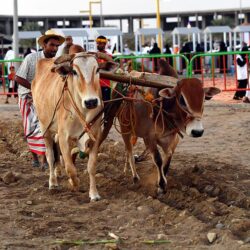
x=180 y=110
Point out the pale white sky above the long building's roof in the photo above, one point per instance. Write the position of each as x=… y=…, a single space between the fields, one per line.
x=73 y=7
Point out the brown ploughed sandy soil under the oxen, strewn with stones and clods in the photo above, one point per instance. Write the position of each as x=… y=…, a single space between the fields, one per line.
x=208 y=191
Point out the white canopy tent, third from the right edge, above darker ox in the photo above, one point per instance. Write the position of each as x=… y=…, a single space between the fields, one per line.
x=194 y=31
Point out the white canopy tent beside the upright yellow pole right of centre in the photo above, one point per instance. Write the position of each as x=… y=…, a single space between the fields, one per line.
x=147 y=32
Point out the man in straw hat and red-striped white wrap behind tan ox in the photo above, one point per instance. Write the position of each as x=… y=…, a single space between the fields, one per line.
x=50 y=42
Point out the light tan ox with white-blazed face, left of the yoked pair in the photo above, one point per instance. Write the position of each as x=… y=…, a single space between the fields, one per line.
x=66 y=99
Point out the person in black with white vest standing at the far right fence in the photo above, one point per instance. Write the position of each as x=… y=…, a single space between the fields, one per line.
x=242 y=74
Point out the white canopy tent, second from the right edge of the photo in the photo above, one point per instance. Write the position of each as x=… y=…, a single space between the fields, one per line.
x=210 y=30
